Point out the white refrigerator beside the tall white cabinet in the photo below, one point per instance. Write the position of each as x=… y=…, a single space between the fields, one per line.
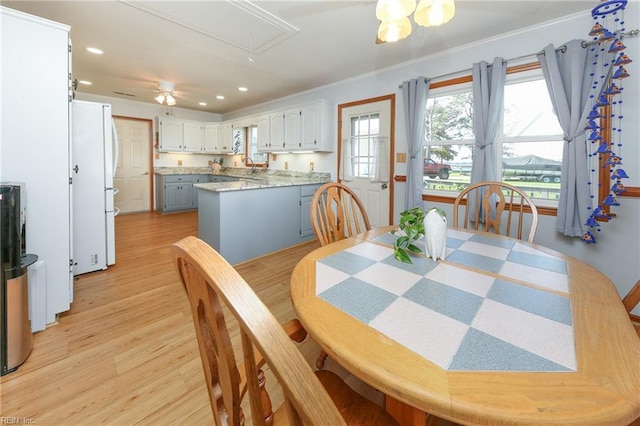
x=94 y=155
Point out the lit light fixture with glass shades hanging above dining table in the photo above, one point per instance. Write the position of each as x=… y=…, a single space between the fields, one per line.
x=394 y=16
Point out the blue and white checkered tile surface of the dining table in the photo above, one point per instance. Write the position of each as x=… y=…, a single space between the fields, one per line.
x=493 y=305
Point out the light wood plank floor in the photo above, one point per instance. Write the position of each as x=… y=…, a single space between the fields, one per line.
x=126 y=352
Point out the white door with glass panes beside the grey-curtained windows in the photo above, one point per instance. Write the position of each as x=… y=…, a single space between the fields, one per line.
x=369 y=119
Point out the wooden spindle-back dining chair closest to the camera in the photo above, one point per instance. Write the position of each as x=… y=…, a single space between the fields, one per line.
x=211 y=283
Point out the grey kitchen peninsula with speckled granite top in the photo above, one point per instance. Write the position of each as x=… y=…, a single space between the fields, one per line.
x=257 y=214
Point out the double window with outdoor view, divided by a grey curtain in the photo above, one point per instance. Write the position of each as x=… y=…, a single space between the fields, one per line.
x=530 y=139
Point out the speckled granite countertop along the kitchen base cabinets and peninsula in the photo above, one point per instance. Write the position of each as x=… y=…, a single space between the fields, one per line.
x=263 y=178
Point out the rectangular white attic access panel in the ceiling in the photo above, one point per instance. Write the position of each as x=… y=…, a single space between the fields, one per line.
x=238 y=23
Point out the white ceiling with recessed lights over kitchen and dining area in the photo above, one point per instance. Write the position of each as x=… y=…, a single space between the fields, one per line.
x=274 y=48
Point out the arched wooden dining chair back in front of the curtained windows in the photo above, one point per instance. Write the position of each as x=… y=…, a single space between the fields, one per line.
x=496 y=205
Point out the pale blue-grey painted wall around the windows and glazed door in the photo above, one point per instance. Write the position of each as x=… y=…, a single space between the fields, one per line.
x=617 y=250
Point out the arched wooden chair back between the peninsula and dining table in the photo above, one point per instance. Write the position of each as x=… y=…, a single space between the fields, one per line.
x=337 y=213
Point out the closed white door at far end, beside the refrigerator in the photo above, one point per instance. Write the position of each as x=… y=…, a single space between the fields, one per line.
x=134 y=172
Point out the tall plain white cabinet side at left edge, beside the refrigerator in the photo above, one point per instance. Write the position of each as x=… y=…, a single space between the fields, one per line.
x=35 y=149
